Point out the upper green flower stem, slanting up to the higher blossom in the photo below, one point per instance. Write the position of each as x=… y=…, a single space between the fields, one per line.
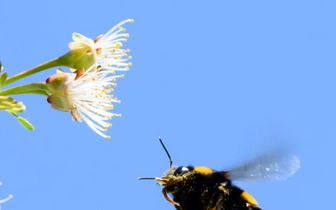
x=49 y=64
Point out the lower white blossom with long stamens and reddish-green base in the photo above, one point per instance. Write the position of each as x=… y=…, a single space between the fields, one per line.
x=87 y=95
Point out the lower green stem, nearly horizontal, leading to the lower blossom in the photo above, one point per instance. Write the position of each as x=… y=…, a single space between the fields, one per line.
x=33 y=88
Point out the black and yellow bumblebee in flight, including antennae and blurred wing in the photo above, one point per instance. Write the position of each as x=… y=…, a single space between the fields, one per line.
x=202 y=188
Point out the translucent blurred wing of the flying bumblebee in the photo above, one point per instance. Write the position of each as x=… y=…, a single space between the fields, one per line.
x=274 y=166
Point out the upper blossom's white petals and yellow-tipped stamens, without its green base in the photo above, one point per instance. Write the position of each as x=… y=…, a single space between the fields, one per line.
x=107 y=48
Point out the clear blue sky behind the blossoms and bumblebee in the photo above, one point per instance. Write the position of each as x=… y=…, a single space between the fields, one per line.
x=219 y=81
